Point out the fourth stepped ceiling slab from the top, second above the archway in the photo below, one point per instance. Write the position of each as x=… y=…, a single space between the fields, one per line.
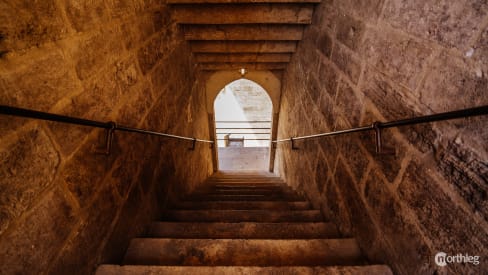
x=243 y=57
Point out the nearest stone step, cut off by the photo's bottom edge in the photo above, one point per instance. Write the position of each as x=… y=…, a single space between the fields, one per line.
x=242 y=270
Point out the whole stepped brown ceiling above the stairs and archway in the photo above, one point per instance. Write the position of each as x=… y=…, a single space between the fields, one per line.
x=250 y=34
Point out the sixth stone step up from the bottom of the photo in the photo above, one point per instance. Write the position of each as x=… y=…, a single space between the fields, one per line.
x=255 y=197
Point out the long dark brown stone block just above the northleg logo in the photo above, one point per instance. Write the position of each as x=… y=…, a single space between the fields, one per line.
x=448 y=226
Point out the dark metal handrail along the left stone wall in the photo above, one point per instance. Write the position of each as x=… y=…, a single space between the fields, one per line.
x=111 y=126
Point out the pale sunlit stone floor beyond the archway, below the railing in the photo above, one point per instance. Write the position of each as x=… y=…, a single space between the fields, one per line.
x=243 y=158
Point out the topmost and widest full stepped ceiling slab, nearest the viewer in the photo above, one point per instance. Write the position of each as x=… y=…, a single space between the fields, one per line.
x=243 y=14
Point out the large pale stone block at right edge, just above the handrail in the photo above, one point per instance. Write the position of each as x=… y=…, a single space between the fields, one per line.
x=453 y=78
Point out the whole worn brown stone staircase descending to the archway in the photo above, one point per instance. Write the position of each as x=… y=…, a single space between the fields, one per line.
x=243 y=224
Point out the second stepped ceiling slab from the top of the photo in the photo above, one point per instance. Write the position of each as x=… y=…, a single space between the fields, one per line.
x=243 y=32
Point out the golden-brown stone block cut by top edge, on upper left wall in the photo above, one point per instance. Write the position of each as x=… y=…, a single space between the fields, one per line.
x=84 y=15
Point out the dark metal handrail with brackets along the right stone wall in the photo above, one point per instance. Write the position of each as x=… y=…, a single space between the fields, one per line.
x=377 y=126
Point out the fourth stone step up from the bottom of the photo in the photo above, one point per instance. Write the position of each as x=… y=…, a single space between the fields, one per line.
x=243 y=216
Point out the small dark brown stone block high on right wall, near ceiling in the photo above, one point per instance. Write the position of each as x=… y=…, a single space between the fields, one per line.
x=350 y=31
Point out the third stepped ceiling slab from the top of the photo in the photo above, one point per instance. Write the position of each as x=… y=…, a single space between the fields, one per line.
x=220 y=46
